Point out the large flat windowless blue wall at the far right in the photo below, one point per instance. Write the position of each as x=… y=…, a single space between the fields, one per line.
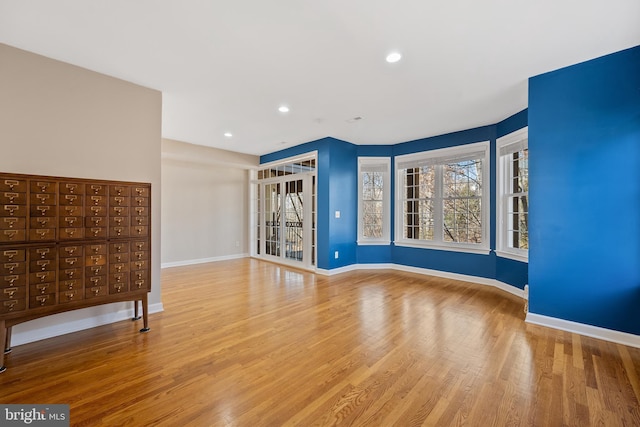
x=584 y=141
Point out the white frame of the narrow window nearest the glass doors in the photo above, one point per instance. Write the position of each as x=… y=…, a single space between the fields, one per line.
x=383 y=165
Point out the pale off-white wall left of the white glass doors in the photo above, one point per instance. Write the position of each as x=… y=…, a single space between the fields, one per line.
x=205 y=203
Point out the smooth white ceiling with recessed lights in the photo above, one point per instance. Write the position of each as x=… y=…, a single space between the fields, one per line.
x=226 y=66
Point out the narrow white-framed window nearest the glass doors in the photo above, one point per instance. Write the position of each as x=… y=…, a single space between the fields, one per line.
x=374 y=209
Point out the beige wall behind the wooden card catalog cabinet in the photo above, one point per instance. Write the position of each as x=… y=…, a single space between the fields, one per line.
x=61 y=120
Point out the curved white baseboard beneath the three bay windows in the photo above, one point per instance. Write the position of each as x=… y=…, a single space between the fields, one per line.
x=456 y=276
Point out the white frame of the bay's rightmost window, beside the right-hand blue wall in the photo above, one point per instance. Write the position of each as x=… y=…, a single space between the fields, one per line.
x=512 y=142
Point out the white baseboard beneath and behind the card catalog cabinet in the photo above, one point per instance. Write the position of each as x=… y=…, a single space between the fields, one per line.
x=72 y=321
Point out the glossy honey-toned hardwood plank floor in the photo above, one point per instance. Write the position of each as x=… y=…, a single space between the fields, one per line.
x=249 y=343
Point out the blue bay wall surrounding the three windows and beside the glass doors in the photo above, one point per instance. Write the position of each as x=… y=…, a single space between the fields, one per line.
x=338 y=190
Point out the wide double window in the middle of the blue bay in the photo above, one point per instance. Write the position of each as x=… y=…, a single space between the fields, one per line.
x=443 y=198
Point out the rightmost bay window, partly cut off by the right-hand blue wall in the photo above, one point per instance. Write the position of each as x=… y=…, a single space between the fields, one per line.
x=513 y=195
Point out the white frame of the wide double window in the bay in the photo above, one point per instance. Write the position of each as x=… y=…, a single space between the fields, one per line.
x=438 y=157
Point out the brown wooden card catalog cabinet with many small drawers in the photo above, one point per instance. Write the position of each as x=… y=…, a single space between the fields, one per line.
x=69 y=243
